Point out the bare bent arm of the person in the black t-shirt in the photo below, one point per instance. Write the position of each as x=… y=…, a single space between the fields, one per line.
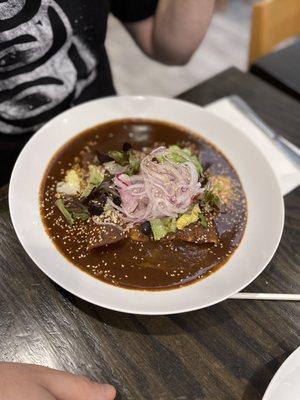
x=175 y=31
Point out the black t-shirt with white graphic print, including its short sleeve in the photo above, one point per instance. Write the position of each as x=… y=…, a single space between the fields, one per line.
x=52 y=56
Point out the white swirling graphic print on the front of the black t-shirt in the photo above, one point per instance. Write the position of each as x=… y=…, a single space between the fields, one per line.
x=43 y=65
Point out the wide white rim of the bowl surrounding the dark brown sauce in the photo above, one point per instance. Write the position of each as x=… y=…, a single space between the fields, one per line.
x=265 y=206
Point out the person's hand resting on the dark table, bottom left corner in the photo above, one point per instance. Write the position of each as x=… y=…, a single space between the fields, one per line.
x=24 y=382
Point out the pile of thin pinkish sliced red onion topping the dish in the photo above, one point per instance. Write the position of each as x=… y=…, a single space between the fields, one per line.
x=159 y=190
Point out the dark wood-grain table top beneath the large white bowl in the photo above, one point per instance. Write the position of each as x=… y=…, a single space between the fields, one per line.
x=228 y=351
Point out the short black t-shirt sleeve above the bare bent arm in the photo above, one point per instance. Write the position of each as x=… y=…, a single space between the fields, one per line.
x=133 y=10
